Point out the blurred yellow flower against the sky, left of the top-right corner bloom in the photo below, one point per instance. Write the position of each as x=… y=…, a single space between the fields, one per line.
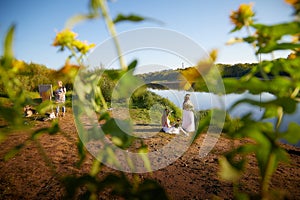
x=243 y=16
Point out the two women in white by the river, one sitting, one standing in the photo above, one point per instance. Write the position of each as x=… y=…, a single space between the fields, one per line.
x=188 y=121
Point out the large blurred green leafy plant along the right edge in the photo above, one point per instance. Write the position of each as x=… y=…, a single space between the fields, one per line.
x=281 y=77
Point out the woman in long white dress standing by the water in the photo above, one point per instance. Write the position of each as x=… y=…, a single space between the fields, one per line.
x=188 y=120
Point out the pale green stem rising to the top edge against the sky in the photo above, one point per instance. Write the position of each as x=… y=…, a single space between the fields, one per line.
x=111 y=28
